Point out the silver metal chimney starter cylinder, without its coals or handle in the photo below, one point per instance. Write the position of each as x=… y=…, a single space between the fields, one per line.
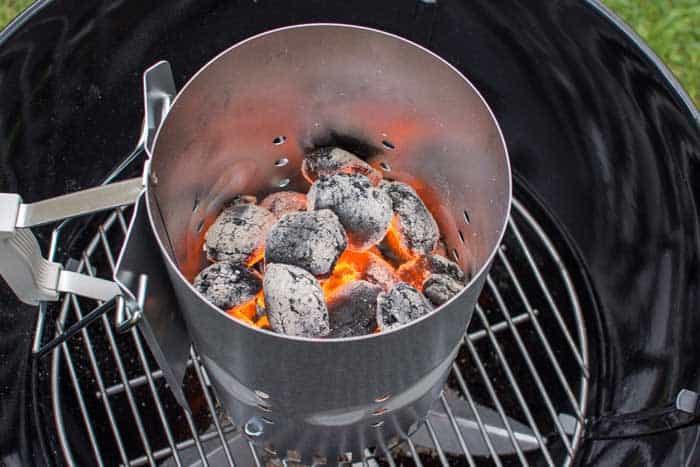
x=310 y=84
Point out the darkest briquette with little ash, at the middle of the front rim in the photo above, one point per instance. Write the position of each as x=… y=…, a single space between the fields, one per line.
x=352 y=309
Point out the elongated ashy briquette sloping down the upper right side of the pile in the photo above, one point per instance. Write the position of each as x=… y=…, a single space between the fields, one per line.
x=417 y=230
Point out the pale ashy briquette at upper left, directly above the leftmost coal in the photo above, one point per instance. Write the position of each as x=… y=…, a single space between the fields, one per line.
x=238 y=232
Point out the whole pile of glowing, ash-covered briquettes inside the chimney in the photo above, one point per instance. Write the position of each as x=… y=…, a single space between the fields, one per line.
x=355 y=255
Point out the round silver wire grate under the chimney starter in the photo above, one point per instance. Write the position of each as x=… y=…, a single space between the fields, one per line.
x=524 y=355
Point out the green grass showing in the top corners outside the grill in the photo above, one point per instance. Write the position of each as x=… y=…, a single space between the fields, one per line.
x=670 y=27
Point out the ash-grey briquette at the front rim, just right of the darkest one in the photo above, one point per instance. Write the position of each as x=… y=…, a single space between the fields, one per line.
x=400 y=305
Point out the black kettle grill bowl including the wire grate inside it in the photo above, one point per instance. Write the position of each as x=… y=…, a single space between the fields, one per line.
x=582 y=349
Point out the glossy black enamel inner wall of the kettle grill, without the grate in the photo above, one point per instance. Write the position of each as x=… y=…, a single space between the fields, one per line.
x=593 y=127
